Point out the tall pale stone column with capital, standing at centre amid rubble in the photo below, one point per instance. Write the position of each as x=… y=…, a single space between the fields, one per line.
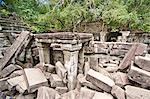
x=71 y=63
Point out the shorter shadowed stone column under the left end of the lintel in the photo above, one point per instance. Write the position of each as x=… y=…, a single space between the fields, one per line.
x=44 y=52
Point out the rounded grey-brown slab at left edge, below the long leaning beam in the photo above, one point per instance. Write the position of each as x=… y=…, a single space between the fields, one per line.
x=8 y=70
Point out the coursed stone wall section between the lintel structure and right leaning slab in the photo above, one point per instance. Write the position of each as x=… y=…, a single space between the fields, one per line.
x=106 y=54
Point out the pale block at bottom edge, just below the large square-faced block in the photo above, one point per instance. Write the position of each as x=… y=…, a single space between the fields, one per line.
x=47 y=93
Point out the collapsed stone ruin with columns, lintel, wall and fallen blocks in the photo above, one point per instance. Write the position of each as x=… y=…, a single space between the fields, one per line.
x=68 y=65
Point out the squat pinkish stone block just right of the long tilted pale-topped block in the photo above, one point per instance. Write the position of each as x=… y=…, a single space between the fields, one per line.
x=120 y=78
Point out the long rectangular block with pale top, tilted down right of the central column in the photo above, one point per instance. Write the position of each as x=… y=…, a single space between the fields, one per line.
x=103 y=82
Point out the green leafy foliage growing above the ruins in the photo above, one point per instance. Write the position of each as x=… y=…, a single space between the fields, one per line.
x=55 y=14
